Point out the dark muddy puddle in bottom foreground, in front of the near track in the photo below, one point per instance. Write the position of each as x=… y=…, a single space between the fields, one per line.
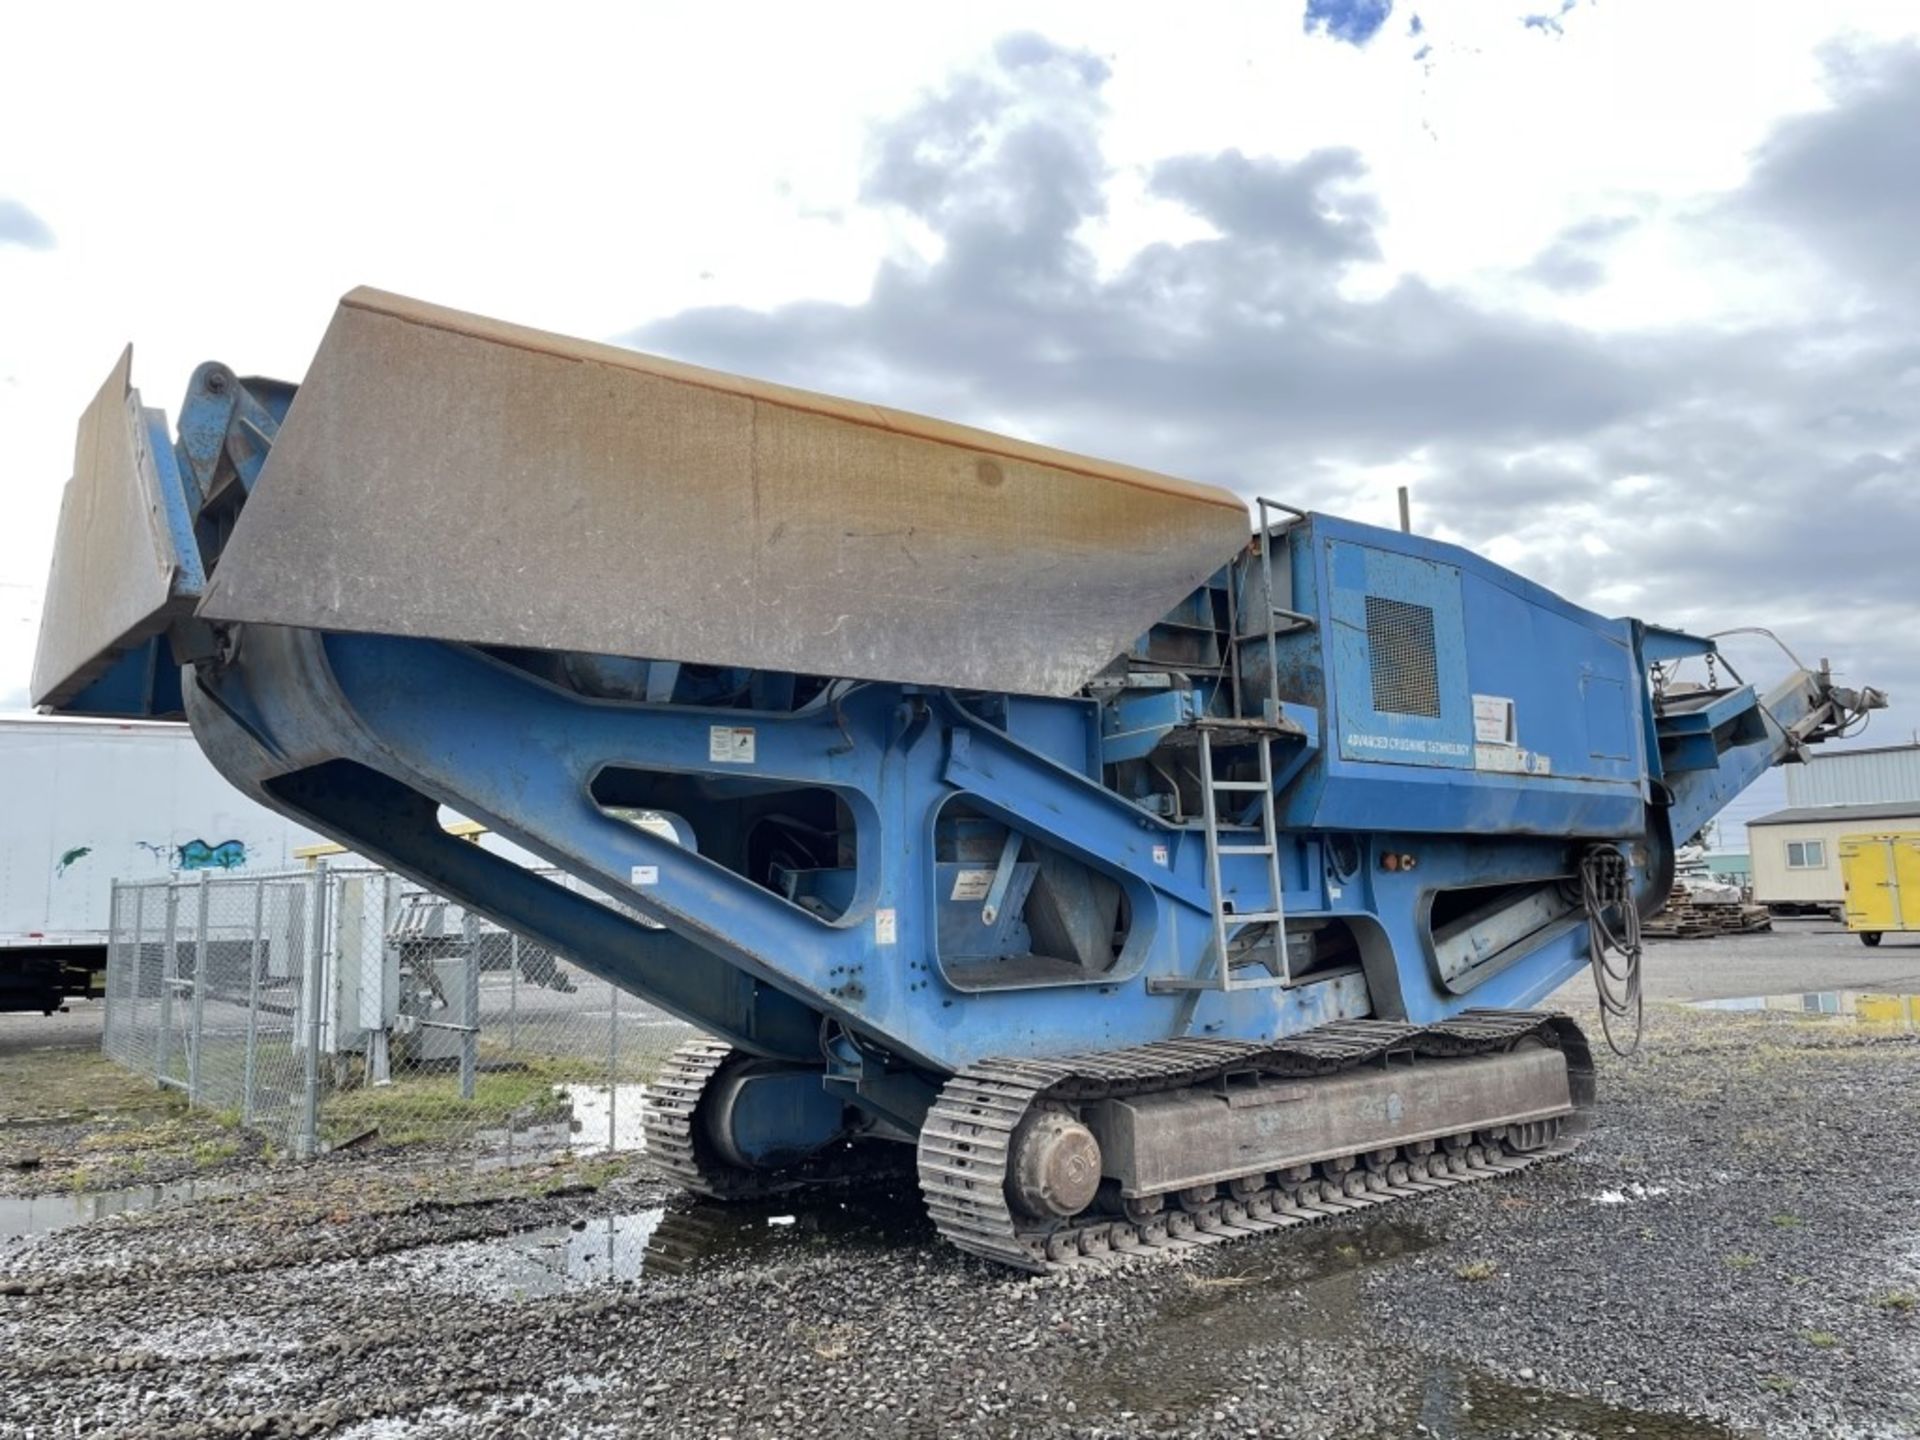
x=1299 y=1301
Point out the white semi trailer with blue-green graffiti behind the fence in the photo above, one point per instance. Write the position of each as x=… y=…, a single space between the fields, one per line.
x=87 y=804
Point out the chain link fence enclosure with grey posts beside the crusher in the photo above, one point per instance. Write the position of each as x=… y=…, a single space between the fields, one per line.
x=347 y=1005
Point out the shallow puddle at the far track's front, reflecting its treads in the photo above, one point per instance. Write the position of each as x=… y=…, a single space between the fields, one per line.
x=663 y=1241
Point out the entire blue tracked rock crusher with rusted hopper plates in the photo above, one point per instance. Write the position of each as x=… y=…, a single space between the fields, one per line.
x=1132 y=873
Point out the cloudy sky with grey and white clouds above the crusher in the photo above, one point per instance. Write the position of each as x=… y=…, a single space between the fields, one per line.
x=1627 y=293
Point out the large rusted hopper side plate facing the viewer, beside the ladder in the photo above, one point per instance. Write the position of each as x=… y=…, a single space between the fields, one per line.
x=456 y=477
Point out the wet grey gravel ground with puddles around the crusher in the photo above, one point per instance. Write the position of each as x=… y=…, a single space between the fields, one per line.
x=1735 y=1253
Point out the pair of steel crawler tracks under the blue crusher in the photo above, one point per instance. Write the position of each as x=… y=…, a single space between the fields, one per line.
x=1045 y=1164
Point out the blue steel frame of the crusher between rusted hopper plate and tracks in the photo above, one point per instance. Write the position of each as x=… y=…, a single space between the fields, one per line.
x=368 y=736
